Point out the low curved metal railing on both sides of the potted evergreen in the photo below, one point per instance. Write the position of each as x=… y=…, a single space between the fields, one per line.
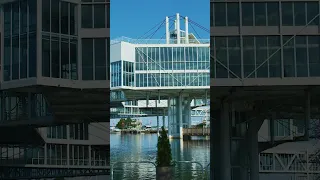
x=203 y=173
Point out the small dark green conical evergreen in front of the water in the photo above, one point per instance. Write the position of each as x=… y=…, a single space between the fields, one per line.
x=164 y=156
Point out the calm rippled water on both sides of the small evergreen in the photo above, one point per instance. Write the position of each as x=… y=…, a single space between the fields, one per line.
x=143 y=147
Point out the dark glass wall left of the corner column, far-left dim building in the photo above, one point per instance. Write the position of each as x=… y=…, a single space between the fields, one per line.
x=19 y=28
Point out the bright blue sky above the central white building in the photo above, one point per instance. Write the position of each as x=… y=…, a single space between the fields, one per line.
x=133 y=18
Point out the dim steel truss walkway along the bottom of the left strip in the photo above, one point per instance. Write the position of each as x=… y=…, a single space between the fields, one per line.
x=12 y=173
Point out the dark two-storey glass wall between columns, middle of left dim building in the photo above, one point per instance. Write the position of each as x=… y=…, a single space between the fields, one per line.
x=59 y=39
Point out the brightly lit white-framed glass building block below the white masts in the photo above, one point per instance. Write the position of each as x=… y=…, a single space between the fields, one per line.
x=162 y=66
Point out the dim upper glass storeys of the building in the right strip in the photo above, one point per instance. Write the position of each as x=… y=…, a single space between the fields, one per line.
x=273 y=39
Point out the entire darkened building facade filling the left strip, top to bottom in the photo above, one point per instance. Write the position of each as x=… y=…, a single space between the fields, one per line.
x=54 y=57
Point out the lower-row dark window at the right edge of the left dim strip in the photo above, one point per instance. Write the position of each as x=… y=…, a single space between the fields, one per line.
x=100 y=59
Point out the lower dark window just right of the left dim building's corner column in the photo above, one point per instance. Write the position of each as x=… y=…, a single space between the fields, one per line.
x=45 y=58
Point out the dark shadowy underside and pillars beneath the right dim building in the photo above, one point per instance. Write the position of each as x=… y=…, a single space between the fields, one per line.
x=237 y=114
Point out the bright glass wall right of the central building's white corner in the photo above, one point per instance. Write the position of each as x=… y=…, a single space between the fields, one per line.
x=172 y=66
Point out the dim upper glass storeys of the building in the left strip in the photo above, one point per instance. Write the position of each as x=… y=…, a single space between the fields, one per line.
x=56 y=39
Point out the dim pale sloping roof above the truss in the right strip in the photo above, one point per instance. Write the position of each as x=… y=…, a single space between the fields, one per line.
x=311 y=146
